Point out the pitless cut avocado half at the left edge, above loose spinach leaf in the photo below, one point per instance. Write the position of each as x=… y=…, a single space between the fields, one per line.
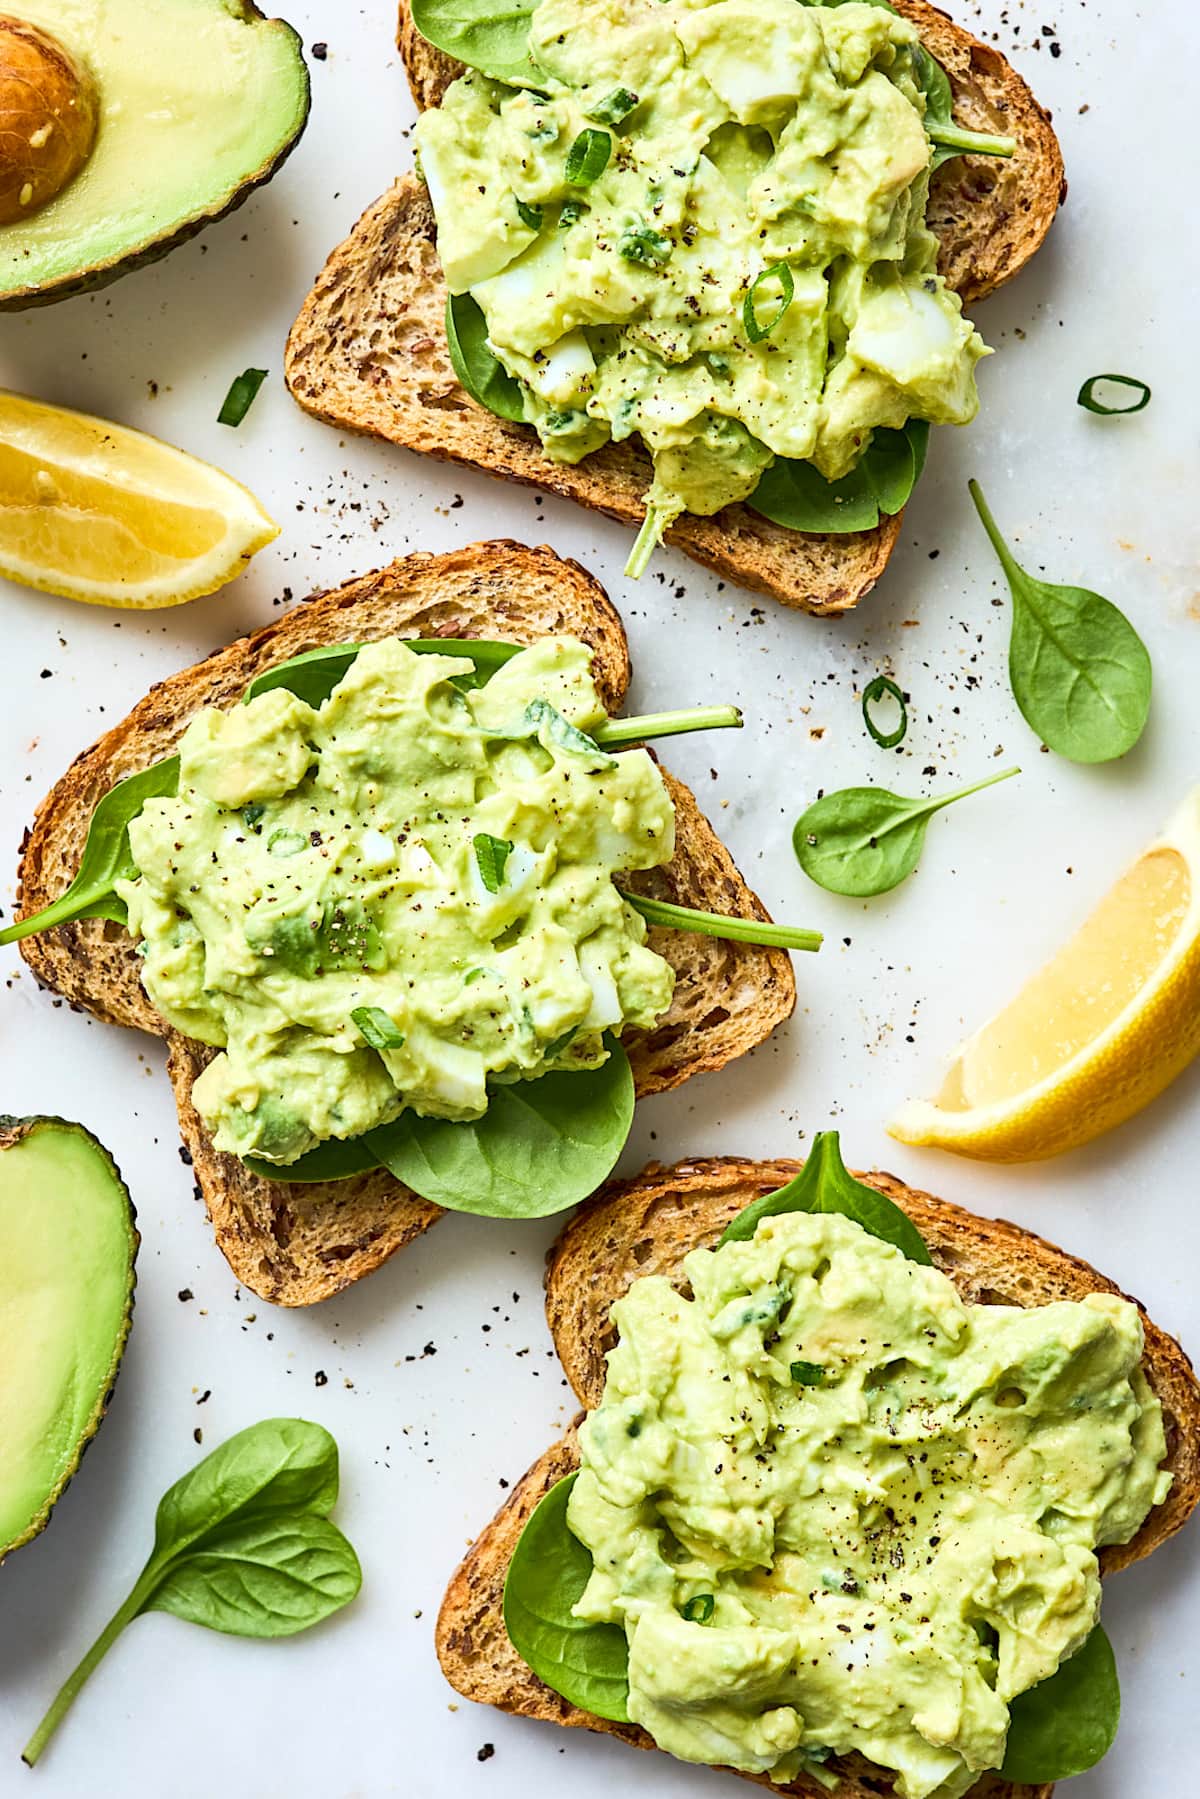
x=67 y=1249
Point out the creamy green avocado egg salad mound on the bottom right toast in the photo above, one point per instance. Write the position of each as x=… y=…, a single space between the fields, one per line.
x=837 y=1508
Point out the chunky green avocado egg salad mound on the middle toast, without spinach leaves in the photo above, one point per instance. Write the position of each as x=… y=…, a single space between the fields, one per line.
x=399 y=897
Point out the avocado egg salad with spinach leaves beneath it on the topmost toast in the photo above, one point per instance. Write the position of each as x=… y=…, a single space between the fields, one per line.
x=704 y=226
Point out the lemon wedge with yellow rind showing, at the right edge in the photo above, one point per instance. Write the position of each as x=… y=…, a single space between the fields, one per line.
x=1097 y=1034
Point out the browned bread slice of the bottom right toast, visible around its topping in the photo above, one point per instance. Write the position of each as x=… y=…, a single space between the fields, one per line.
x=647 y=1226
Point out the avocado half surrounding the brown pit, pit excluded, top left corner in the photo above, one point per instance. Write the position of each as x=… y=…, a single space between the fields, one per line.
x=197 y=102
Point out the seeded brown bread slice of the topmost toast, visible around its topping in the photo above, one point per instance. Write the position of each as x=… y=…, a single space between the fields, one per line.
x=370 y=354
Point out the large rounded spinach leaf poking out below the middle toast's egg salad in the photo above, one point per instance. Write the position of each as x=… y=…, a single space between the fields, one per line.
x=539 y=1149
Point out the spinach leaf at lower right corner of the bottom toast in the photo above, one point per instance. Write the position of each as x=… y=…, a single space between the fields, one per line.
x=1070 y=1723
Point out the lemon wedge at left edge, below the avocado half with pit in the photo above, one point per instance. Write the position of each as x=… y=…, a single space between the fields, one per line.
x=102 y=514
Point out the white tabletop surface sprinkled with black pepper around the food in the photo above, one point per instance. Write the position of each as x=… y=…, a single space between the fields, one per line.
x=359 y=1708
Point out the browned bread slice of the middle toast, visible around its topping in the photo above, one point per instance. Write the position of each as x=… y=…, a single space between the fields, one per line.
x=300 y=1244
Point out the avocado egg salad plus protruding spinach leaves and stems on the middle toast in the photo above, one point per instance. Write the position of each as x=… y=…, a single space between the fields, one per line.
x=382 y=891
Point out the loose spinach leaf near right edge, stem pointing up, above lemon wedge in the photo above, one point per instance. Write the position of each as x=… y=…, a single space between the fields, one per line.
x=1080 y=672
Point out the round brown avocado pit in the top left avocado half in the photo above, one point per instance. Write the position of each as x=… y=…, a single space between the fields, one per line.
x=49 y=114
